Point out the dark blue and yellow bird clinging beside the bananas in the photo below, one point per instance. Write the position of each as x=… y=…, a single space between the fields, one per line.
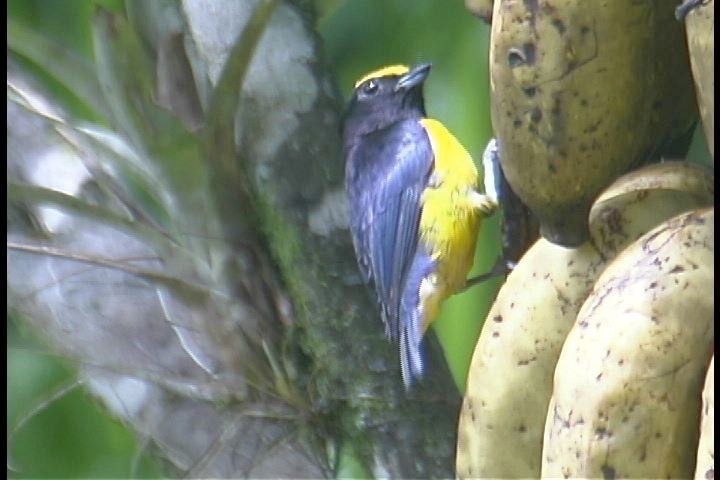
x=414 y=205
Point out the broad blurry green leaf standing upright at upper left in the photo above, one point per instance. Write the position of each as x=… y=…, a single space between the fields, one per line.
x=162 y=142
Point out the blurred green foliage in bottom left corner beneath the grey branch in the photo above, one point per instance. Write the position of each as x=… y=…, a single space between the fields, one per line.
x=73 y=437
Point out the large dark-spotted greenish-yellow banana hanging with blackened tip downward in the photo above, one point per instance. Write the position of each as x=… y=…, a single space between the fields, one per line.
x=580 y=94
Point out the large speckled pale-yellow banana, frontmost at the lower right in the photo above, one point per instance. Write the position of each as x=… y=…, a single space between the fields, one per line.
x=628 y=381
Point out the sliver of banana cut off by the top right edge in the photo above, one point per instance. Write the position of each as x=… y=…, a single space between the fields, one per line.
x=700 y=26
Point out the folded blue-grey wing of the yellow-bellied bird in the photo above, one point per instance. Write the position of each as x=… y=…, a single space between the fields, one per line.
x=387 y=235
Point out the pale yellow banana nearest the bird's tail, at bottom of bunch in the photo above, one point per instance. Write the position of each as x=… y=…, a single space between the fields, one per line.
x=510 y=378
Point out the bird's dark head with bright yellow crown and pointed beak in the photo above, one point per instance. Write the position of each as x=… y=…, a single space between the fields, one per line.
x=383 y=97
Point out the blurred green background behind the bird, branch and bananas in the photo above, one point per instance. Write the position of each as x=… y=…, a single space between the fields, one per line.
x=72 y=436
